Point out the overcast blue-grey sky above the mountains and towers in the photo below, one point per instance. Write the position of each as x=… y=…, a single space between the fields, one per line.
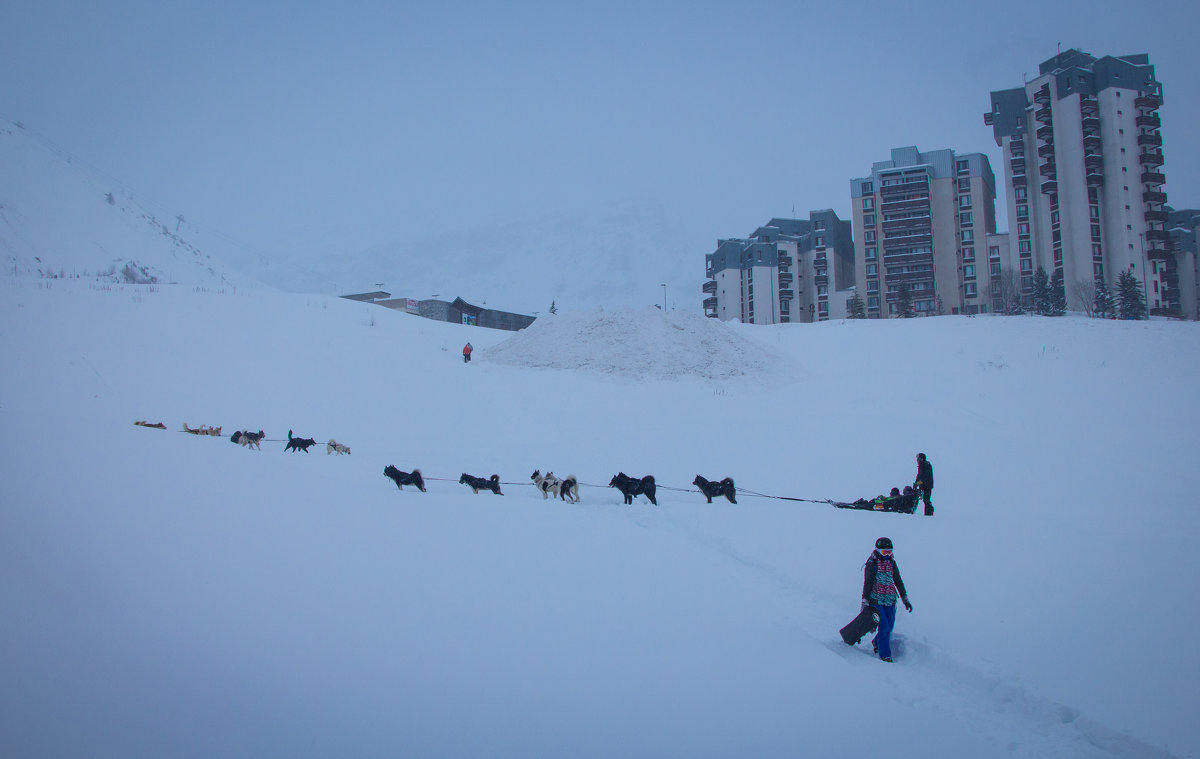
x=325 y=128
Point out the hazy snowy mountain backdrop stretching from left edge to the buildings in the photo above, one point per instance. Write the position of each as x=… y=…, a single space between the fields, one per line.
x=63 y=218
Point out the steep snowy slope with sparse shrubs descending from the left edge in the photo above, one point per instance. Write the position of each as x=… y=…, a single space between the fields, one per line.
x=62 y=219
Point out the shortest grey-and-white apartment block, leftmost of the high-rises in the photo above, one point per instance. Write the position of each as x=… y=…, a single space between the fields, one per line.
x=789 y=271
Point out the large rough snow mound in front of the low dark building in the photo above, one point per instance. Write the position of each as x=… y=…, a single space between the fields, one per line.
x=644 y=344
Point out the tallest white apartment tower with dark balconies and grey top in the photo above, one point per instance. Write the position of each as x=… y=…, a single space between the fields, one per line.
x=1084 y=176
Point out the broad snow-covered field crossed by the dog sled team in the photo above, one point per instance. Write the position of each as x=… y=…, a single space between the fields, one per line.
x=172 y=596
